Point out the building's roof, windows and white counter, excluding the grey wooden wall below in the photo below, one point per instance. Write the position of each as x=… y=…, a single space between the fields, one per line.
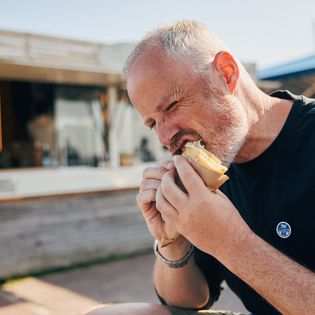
x=63 y=105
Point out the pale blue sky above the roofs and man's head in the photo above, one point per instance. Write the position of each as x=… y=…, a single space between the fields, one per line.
x=267 y=32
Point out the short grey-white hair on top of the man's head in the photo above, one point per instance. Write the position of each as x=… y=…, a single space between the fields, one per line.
x=189 y=41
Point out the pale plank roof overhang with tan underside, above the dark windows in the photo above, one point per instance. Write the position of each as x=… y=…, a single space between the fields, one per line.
x=32 y=57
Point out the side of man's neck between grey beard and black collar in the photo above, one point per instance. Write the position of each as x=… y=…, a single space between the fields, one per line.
x=266 y=119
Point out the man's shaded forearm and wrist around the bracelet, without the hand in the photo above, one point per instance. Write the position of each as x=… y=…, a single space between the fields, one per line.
x=182 y=287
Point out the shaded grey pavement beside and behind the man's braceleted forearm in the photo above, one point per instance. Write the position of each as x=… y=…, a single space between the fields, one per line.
x=127 y=280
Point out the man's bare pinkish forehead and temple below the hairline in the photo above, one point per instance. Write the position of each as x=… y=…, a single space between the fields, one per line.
x=153 y=76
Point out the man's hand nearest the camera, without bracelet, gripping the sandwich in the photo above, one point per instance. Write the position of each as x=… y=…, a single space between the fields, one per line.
x=207 y=219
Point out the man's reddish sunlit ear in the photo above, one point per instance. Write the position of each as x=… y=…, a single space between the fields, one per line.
x=226 y=65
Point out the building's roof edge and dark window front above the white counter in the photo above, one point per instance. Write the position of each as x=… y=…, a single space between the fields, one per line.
x=59 y=98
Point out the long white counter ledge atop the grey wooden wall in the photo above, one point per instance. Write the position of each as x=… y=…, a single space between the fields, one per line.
x=35 y=182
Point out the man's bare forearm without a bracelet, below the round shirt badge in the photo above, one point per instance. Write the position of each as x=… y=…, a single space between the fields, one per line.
x=285 y=284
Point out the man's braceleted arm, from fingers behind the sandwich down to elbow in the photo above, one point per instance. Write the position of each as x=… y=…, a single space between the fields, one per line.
x=185 y=286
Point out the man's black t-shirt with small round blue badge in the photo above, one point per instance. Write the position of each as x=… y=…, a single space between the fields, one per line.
x=275 y=195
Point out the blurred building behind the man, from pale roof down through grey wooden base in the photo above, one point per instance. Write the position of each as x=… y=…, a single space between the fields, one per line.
x=64 y=111
